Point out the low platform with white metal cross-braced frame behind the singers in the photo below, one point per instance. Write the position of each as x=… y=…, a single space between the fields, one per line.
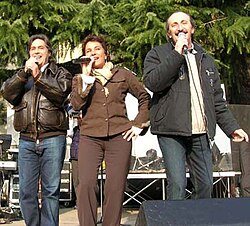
x=224 y=183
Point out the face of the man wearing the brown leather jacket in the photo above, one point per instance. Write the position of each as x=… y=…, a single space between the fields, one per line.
x=40 y=51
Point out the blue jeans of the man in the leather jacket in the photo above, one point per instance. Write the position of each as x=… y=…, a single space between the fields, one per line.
x=45 y=160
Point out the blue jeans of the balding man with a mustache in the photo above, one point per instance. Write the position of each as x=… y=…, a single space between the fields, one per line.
x=196 y=152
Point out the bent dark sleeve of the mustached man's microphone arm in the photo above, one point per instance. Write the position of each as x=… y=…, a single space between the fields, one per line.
x=161 y=68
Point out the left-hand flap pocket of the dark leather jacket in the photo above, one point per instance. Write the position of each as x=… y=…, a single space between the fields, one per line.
x=20 y=117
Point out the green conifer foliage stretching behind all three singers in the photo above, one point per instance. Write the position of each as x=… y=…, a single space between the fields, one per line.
x=131 y=28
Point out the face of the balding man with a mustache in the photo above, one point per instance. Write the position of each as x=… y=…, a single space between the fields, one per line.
x=179 y=22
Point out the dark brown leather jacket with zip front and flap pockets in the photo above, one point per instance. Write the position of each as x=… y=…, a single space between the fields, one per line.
x=39 y=103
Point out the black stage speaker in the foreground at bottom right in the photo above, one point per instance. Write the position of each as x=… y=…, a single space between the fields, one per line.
x=201 y=212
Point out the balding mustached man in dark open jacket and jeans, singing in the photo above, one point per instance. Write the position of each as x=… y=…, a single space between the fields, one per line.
x=187 y=103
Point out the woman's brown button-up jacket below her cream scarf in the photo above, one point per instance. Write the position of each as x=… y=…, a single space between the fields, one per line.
x=106 y=115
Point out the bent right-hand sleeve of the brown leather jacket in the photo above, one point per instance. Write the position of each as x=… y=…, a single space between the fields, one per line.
x=55 y=87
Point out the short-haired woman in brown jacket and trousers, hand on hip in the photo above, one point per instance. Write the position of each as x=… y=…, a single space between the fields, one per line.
x=106 y=132
